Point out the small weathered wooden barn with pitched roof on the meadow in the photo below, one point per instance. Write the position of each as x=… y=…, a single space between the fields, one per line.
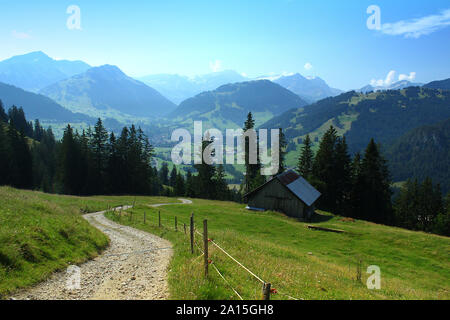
x=288 y=193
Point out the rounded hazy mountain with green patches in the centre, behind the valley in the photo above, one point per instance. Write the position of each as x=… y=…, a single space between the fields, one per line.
x=228 y=105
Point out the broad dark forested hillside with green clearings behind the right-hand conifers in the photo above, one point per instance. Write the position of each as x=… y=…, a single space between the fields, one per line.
x=384 y=116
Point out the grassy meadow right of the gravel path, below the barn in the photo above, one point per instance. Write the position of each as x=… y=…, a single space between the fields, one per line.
x=297 y=261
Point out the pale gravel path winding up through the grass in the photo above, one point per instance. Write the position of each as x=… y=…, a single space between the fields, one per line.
x=134 y=267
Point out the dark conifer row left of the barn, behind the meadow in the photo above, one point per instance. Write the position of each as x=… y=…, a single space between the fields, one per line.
x=94 y=162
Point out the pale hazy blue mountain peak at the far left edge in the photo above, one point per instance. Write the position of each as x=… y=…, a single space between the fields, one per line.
x=36 y=70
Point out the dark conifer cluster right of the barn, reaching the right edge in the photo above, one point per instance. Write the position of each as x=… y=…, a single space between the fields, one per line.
x=360 y=187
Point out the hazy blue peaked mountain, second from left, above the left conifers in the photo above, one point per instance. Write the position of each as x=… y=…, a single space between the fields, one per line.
x=108 y=92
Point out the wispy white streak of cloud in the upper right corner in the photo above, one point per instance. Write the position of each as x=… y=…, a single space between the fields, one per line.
x=415 y=28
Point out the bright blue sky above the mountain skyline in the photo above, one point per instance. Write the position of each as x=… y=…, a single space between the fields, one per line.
x=329 y=38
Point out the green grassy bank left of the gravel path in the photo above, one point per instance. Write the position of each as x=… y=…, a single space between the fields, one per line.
x=42 y=233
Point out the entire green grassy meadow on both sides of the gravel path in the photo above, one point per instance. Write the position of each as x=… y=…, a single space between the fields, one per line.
x=41 y=233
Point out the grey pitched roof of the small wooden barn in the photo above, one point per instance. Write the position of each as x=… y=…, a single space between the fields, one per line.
x=297 y=185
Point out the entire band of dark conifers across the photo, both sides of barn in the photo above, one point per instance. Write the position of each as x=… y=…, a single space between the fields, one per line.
x=94 y=162
